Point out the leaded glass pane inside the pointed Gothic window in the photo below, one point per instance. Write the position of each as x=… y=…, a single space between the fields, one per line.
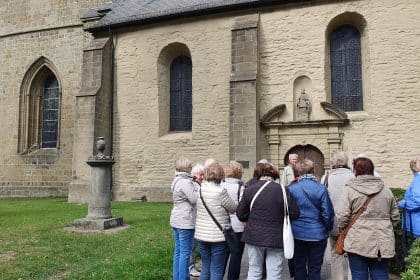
x=50 y=113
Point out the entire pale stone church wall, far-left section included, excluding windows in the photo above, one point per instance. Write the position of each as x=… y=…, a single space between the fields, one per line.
x=292 y=44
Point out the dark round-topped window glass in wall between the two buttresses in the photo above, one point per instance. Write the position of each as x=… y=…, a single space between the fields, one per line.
x=181 y=94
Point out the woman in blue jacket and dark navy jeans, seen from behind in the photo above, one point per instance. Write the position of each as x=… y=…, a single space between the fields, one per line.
x=311 y=229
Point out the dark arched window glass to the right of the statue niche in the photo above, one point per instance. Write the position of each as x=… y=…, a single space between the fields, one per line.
x=346 y=69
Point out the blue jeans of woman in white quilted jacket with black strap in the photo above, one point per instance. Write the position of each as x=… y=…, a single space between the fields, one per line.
x=213 y=260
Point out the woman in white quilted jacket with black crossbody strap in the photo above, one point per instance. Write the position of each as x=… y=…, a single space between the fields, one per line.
x=211 y=241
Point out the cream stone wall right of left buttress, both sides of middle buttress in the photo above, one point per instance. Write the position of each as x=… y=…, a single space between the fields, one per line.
x=292 y=44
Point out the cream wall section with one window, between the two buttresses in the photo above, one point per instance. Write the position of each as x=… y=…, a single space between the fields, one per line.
x=145 y=160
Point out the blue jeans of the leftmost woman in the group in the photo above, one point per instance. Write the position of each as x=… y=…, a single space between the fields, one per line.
x=183 y=245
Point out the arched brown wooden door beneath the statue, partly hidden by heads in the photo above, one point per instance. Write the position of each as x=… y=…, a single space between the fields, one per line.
x=309 y=152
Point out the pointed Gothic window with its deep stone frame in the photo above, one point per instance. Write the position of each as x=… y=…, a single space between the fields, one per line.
x=39 y=112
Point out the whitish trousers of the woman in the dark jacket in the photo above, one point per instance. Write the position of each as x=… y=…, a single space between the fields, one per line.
x=274 y=258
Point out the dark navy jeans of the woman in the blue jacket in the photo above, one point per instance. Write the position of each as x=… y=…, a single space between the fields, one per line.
x=308 y=259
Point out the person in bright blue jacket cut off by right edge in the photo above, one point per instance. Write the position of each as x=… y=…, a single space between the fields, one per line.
x=411 y=202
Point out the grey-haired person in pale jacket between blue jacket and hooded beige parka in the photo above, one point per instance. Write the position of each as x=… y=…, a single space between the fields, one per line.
x=335 y=181
